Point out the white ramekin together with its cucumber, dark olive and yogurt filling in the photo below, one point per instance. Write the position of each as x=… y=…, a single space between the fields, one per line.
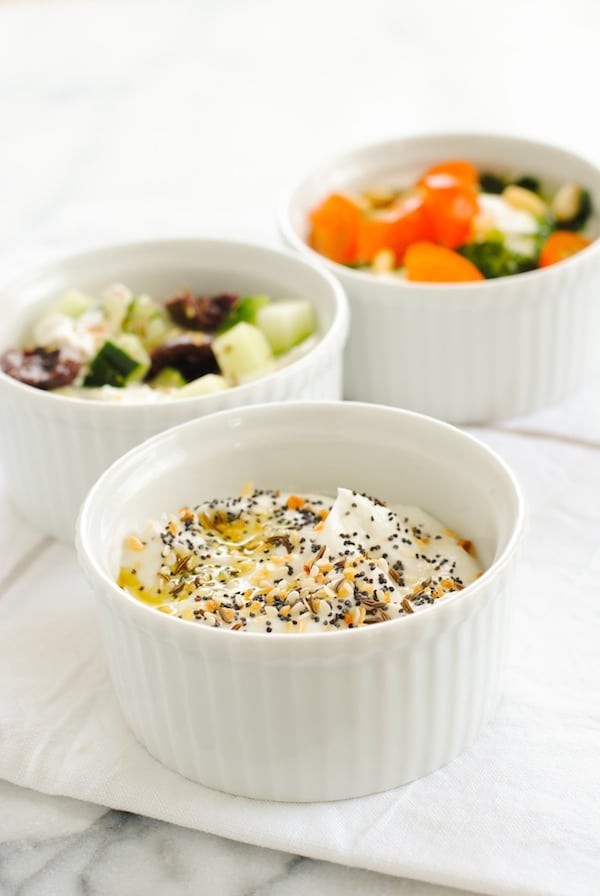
x=152 y=363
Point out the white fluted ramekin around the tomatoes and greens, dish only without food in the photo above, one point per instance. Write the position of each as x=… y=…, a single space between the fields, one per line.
x=466 y=353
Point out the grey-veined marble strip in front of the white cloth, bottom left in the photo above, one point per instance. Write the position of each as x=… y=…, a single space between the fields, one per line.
x=54 y=845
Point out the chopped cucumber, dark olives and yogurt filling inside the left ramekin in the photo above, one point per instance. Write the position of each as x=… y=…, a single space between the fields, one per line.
x=120 y=344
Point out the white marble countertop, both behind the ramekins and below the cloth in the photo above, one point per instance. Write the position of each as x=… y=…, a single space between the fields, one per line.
x=133 y=118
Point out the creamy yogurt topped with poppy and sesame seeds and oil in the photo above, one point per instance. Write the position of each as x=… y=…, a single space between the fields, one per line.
x=270 y=561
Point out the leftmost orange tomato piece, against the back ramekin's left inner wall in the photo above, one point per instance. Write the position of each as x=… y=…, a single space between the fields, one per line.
x=335 y=228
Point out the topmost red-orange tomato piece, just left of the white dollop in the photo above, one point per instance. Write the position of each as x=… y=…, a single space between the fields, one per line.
x=451 y=207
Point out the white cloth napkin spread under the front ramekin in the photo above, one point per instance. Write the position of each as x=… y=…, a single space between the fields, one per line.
x=518 y=813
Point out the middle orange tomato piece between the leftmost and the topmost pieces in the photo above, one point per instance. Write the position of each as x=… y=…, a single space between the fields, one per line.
x=393 y=228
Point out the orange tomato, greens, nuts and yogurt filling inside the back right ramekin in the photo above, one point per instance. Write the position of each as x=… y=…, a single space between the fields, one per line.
x=453 y=224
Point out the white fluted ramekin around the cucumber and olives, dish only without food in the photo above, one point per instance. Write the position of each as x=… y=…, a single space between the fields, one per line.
x=53 y=447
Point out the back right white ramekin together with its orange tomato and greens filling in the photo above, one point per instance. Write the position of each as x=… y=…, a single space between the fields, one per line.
x=446 y=219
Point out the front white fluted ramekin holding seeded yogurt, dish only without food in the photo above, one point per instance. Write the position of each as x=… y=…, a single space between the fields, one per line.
x=319 y=716
